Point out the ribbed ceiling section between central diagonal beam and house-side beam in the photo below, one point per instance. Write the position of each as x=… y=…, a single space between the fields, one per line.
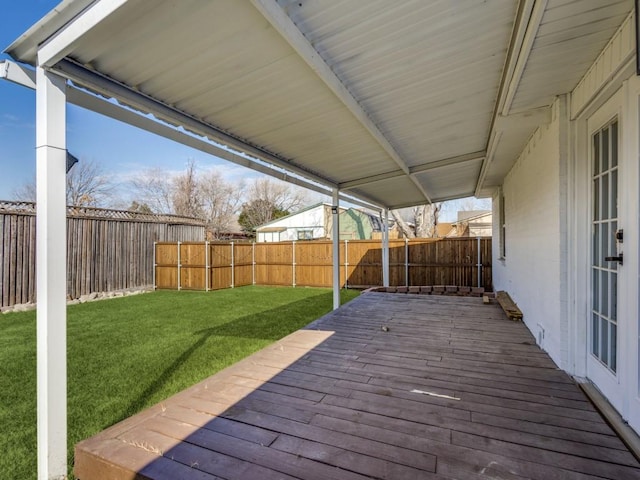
x=427 y=72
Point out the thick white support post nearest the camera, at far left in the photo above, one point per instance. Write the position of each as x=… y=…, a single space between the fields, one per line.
x=51 y=259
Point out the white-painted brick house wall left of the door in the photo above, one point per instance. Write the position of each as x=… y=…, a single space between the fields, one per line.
x=532 y=271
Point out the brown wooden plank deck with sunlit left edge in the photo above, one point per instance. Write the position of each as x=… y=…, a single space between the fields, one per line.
x=449 y=388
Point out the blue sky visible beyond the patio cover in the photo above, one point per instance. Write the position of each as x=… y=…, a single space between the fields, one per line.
x=122 y=151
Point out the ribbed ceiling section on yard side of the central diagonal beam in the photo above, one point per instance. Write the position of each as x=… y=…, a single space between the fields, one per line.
x=239 y=75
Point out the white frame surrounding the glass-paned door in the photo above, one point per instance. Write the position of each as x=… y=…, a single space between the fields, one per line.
x=627 y=96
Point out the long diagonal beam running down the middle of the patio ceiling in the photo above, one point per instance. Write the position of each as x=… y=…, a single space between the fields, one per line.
x=290 y=32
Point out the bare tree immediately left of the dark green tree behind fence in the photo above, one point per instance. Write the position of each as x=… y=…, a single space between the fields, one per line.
x=220 y=202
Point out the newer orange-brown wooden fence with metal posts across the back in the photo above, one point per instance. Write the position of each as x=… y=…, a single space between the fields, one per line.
x=216 y=265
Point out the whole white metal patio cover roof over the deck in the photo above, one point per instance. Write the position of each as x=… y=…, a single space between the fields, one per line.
x=397 y=103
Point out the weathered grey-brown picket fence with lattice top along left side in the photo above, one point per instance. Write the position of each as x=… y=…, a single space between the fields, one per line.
x=107 y=250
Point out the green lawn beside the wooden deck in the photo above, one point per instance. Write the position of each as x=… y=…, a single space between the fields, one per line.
x=129 y=353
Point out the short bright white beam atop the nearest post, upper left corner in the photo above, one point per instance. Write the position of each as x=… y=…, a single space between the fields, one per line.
x=63 y=42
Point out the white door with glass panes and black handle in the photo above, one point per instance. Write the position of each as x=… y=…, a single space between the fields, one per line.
x=604 y=325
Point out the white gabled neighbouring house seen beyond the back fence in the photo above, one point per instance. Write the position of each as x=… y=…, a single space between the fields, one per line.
x=315 y=223
